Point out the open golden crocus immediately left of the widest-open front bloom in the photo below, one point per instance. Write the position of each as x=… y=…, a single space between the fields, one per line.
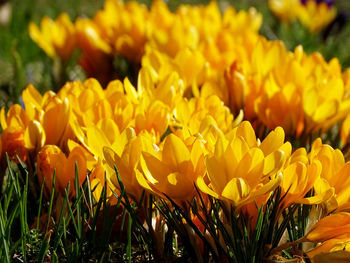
x=172 y=170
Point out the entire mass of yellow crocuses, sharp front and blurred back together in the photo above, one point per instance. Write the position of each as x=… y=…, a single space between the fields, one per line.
x=178 y=134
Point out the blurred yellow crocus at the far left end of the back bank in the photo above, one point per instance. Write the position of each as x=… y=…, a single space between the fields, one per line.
x=56 y=38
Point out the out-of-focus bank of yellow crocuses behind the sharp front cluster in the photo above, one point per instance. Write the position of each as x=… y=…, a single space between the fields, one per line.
x=212 y=54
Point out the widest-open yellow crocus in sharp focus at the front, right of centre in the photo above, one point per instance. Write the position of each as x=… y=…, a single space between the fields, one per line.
x=240 y=170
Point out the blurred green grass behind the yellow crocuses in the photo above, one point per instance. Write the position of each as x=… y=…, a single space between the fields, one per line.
x=23 y=62
